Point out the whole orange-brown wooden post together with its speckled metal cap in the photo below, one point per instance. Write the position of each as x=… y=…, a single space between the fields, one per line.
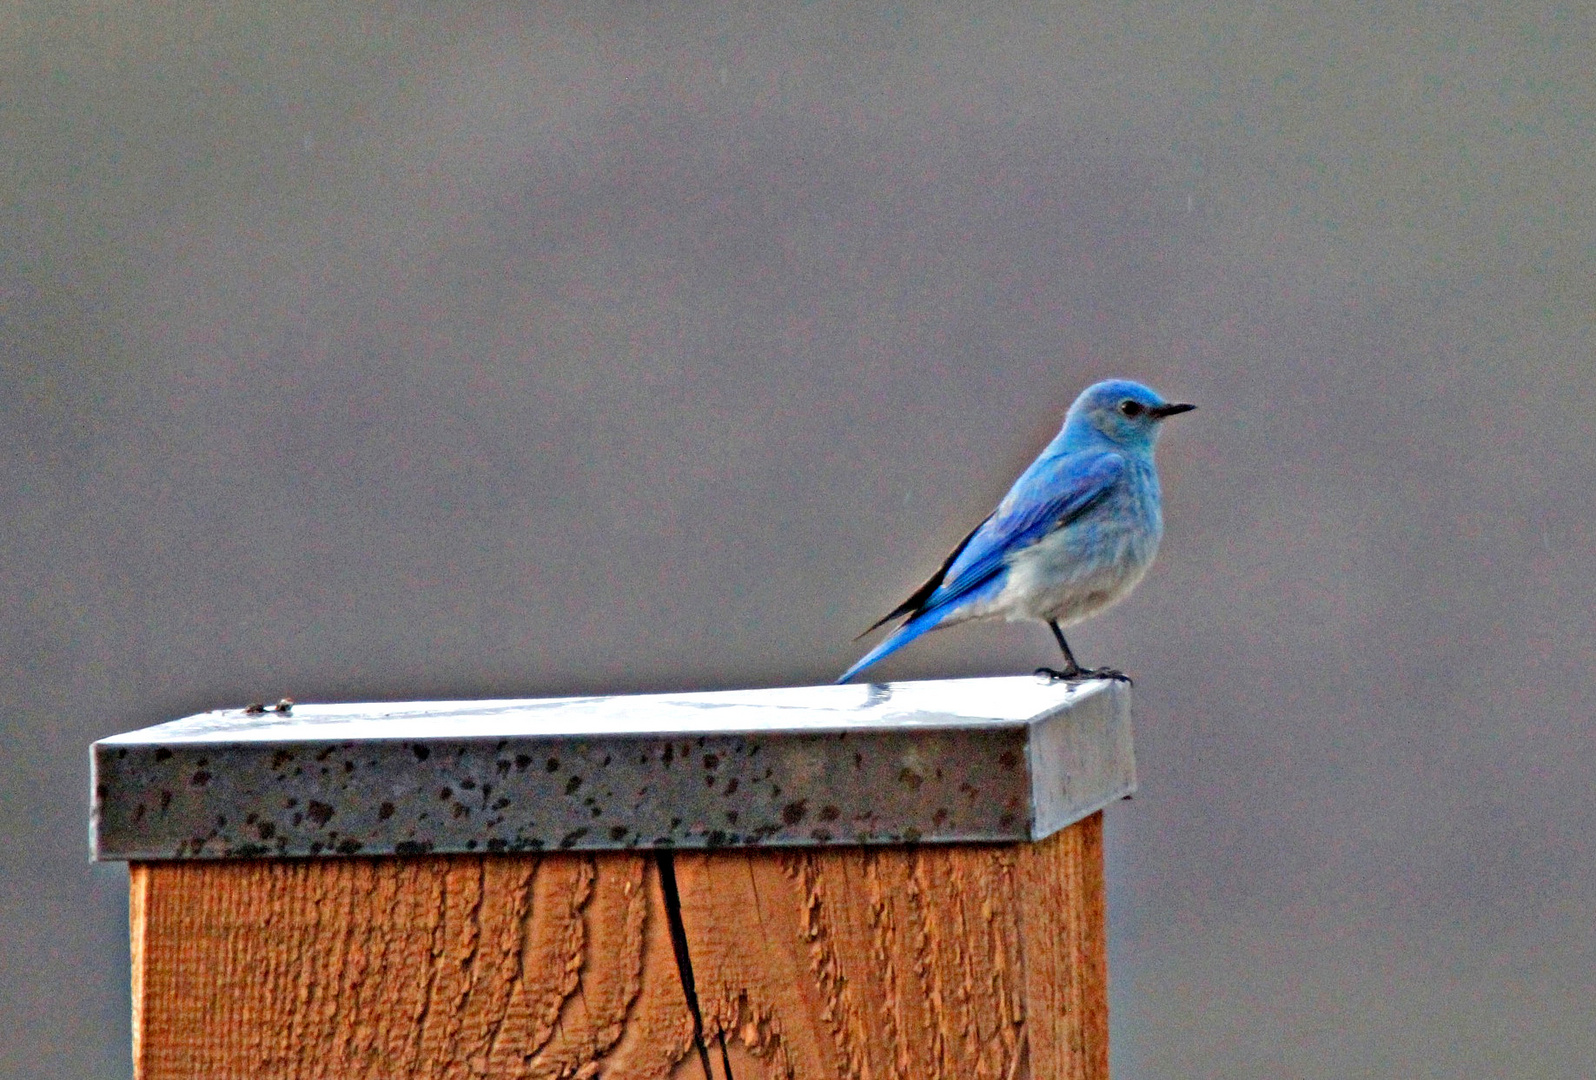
x=859 y=915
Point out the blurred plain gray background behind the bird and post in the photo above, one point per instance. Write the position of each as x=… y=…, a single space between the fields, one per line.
x=561 y=349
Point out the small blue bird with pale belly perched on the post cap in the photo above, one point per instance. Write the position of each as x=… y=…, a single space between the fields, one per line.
x=1073 y=537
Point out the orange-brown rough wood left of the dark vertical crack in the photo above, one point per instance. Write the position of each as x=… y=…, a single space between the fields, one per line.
x=421 y=968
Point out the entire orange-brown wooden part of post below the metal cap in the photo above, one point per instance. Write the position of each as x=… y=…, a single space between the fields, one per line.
x=896 y=963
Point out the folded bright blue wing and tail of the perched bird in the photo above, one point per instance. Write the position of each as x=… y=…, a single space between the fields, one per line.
x=1053 y=494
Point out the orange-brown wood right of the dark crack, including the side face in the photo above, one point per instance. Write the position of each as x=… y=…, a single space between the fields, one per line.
x=907 y=963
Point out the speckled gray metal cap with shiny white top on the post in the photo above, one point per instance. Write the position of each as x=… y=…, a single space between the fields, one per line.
x=934 y=762
